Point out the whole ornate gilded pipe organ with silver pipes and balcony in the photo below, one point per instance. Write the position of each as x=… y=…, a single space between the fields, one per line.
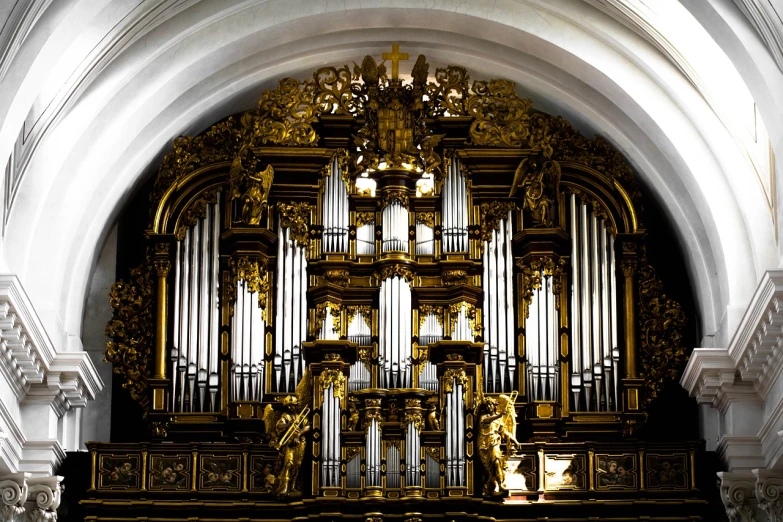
x=407 y=290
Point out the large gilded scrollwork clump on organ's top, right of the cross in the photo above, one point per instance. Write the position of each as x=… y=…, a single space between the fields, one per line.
x=501 y=117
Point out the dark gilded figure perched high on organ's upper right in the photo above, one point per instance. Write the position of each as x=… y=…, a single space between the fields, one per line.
x=539 y=180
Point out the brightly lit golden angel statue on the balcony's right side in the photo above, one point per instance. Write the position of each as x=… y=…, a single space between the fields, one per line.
x=492 y=431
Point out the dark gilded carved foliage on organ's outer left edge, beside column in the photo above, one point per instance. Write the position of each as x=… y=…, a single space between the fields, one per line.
x=131 y=331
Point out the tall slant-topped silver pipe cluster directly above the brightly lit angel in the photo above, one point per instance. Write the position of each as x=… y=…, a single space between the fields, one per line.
x=498 y=283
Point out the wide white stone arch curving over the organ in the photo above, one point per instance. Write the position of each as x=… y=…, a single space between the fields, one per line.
x=206 y=61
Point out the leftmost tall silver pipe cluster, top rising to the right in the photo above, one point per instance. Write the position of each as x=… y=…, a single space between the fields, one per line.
x=194 y=353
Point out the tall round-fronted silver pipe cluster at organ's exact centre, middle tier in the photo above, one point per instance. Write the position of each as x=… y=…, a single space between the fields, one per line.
x=395 y=343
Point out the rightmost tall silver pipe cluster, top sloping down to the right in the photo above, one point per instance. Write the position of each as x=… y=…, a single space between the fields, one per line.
x=595 y=356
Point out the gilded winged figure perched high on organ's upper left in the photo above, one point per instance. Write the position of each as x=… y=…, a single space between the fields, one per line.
x=250 y=186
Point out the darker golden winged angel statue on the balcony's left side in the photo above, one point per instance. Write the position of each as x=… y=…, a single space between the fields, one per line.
x=286 y=430
